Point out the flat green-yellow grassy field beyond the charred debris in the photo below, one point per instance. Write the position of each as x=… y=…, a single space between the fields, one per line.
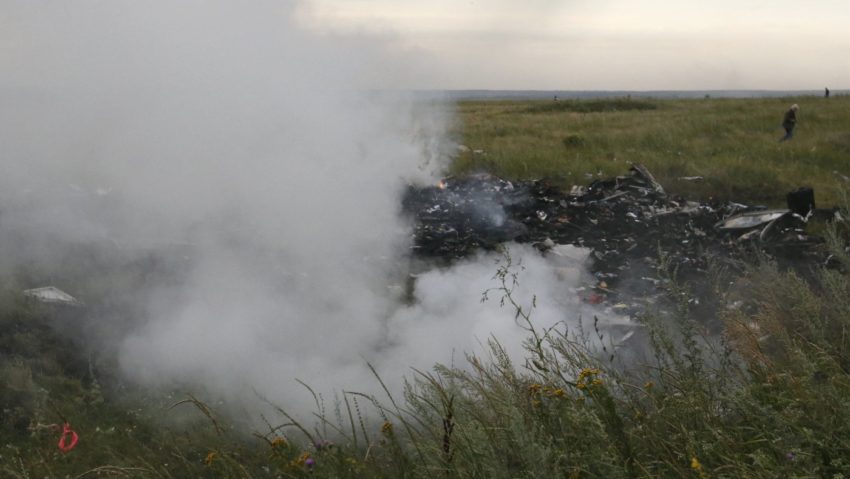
x=732 y=143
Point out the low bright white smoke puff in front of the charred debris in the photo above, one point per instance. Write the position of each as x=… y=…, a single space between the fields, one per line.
x=451 y=316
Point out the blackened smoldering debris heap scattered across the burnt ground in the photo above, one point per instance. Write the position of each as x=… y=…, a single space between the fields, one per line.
x=633 y=228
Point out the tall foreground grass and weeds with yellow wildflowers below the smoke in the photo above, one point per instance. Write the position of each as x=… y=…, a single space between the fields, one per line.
x=770 y=397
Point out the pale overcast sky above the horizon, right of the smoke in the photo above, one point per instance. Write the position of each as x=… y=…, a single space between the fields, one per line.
x=605 y=44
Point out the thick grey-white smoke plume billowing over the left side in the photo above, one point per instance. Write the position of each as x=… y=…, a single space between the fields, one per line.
x=259 y=149
